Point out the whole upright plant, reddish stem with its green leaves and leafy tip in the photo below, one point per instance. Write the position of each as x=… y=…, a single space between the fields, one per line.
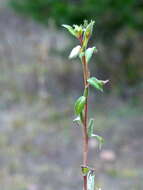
x=83 y=34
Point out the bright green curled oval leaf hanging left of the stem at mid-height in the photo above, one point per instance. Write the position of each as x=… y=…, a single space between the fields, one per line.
x=79 y=104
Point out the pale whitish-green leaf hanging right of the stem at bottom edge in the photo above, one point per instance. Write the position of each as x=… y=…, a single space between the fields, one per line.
x=91 y=180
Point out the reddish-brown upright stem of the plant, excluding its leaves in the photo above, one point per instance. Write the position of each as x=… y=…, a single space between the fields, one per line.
x=85 y=135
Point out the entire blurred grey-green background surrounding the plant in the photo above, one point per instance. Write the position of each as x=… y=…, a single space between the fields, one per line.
x=40 y=147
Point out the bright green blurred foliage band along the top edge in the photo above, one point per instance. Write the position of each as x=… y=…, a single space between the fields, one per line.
x=110 y=15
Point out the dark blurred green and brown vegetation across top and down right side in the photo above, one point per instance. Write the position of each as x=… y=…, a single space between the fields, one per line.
x=119 y=29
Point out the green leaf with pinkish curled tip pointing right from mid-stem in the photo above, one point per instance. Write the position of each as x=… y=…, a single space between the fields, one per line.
x=98 y=84
